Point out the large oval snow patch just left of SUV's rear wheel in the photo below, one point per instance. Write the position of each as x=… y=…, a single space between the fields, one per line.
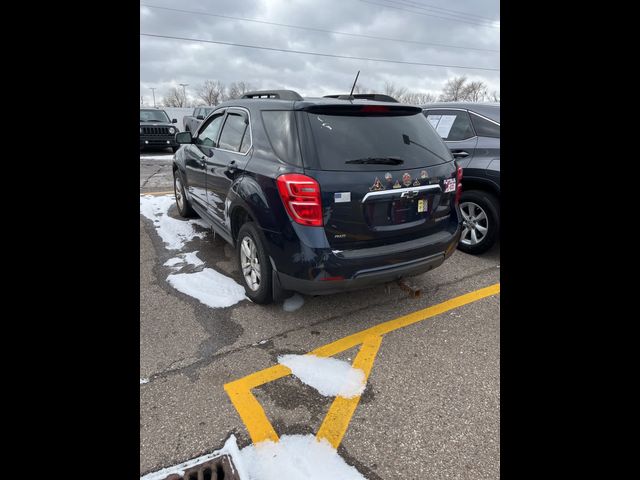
x=210 y=287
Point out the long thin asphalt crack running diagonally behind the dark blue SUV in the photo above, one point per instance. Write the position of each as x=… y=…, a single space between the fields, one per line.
x=204 y=362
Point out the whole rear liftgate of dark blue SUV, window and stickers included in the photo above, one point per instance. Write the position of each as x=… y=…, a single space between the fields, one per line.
x=385 y=175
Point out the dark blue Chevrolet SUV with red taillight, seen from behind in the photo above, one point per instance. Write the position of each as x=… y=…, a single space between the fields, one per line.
x=321 y=195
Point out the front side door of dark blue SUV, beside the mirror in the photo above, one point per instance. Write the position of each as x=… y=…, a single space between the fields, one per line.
x=196 y=155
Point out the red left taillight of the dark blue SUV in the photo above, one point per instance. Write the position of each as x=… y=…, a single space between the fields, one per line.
x=300 y=195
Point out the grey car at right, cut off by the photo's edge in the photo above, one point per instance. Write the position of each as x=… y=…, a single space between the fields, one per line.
x=472 y=132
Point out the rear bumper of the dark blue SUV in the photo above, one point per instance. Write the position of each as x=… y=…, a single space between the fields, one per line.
x=325 y=271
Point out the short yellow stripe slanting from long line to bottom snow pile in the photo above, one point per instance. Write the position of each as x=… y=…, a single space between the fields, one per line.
x=337 y=420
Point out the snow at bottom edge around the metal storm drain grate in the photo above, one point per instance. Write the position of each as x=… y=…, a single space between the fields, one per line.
x=294 y=457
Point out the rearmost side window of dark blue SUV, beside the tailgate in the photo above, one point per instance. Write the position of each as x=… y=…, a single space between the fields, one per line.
x=281 y=130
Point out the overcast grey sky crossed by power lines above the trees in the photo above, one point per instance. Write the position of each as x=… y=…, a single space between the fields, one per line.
x=165 y=63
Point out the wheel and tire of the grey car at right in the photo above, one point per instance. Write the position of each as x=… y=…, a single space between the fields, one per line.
x=480 y=210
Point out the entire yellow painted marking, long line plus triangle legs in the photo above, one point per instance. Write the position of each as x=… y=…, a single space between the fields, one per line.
x=337 y=420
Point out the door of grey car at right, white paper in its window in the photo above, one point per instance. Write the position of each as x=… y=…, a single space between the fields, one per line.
x=455 y=128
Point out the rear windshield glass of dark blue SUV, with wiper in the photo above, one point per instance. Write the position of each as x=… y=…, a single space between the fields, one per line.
x=370 y=143
